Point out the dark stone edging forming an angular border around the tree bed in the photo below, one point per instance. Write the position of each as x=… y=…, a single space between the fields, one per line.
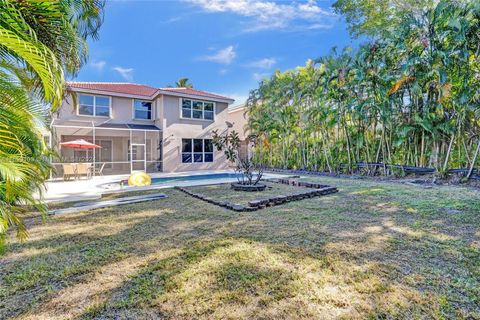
x=254 y=205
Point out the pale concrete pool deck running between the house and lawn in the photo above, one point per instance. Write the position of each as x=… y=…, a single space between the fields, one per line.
x=91 y=189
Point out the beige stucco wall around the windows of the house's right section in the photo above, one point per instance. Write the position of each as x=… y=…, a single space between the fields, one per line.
x=175 y=128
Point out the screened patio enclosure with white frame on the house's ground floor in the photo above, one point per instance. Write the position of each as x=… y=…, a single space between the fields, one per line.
x=124 y=148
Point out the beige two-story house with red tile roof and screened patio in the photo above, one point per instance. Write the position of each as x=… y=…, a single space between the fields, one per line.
x=140 y=128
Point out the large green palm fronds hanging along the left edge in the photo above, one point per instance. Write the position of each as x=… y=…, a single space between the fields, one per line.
x=39 y=41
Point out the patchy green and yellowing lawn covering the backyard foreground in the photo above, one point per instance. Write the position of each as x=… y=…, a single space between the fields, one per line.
x=373 y=250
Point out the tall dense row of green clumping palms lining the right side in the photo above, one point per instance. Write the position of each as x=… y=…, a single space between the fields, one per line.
x=410 y=96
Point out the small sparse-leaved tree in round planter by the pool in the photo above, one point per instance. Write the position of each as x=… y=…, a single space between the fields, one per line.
x=230 y=144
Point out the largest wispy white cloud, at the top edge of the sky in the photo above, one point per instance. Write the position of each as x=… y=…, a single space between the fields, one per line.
x=268 y=15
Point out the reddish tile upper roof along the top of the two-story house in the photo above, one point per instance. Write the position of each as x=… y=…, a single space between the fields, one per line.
x=139 y=89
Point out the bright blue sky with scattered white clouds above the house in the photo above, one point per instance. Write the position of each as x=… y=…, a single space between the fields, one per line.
x=222 y=46
